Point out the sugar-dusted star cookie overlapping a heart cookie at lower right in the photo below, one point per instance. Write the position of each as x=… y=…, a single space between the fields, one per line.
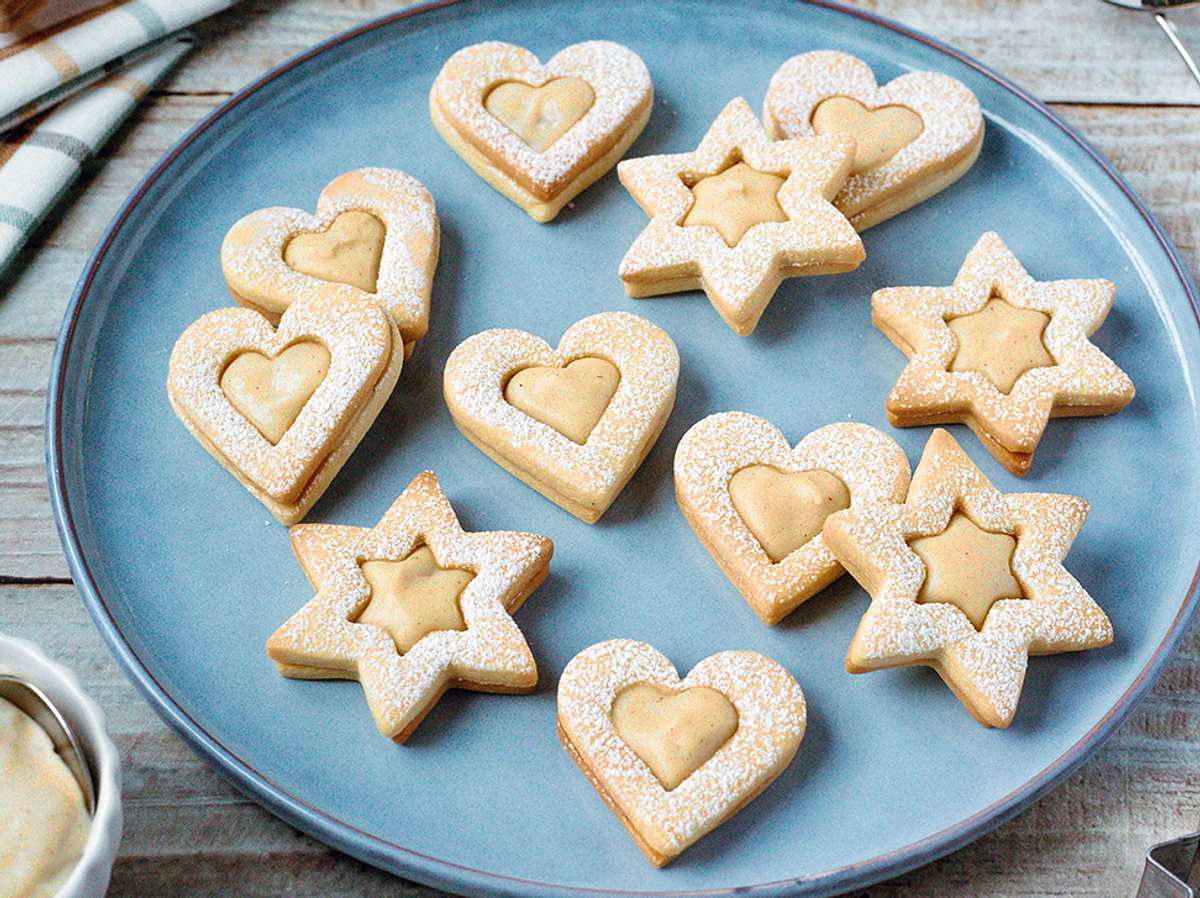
x=943 y=543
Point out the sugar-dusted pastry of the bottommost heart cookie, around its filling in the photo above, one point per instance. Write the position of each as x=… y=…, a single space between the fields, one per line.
x=772 y=719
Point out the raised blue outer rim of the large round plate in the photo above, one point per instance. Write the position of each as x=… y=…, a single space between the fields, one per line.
x=439 y=872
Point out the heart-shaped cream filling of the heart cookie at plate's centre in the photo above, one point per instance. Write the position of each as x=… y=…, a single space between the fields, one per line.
x=572 y=399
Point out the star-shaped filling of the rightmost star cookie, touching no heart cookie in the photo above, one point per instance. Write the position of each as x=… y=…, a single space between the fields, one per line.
x=1001 y=343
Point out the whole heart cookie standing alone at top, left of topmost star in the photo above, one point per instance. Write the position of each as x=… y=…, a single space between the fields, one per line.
x=542 y=134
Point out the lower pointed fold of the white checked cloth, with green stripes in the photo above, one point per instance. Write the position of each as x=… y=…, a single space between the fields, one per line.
x=40 y=161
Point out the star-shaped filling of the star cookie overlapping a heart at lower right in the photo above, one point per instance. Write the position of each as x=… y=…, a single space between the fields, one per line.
x=968 y=567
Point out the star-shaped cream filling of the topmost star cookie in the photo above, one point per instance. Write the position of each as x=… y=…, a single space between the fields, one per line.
x=735 y=201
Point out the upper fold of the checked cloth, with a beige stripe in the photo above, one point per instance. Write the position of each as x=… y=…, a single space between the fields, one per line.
x=43 y=69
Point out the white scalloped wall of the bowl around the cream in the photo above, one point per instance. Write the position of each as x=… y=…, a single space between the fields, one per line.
x=92 y=875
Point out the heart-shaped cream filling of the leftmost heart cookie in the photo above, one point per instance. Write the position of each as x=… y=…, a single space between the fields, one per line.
x=271 y=393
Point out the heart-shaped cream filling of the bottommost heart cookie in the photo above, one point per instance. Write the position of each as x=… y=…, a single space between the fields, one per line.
x=674 y=732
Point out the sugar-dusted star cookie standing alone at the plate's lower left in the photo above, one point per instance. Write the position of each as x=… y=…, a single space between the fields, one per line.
x=421 y=549
